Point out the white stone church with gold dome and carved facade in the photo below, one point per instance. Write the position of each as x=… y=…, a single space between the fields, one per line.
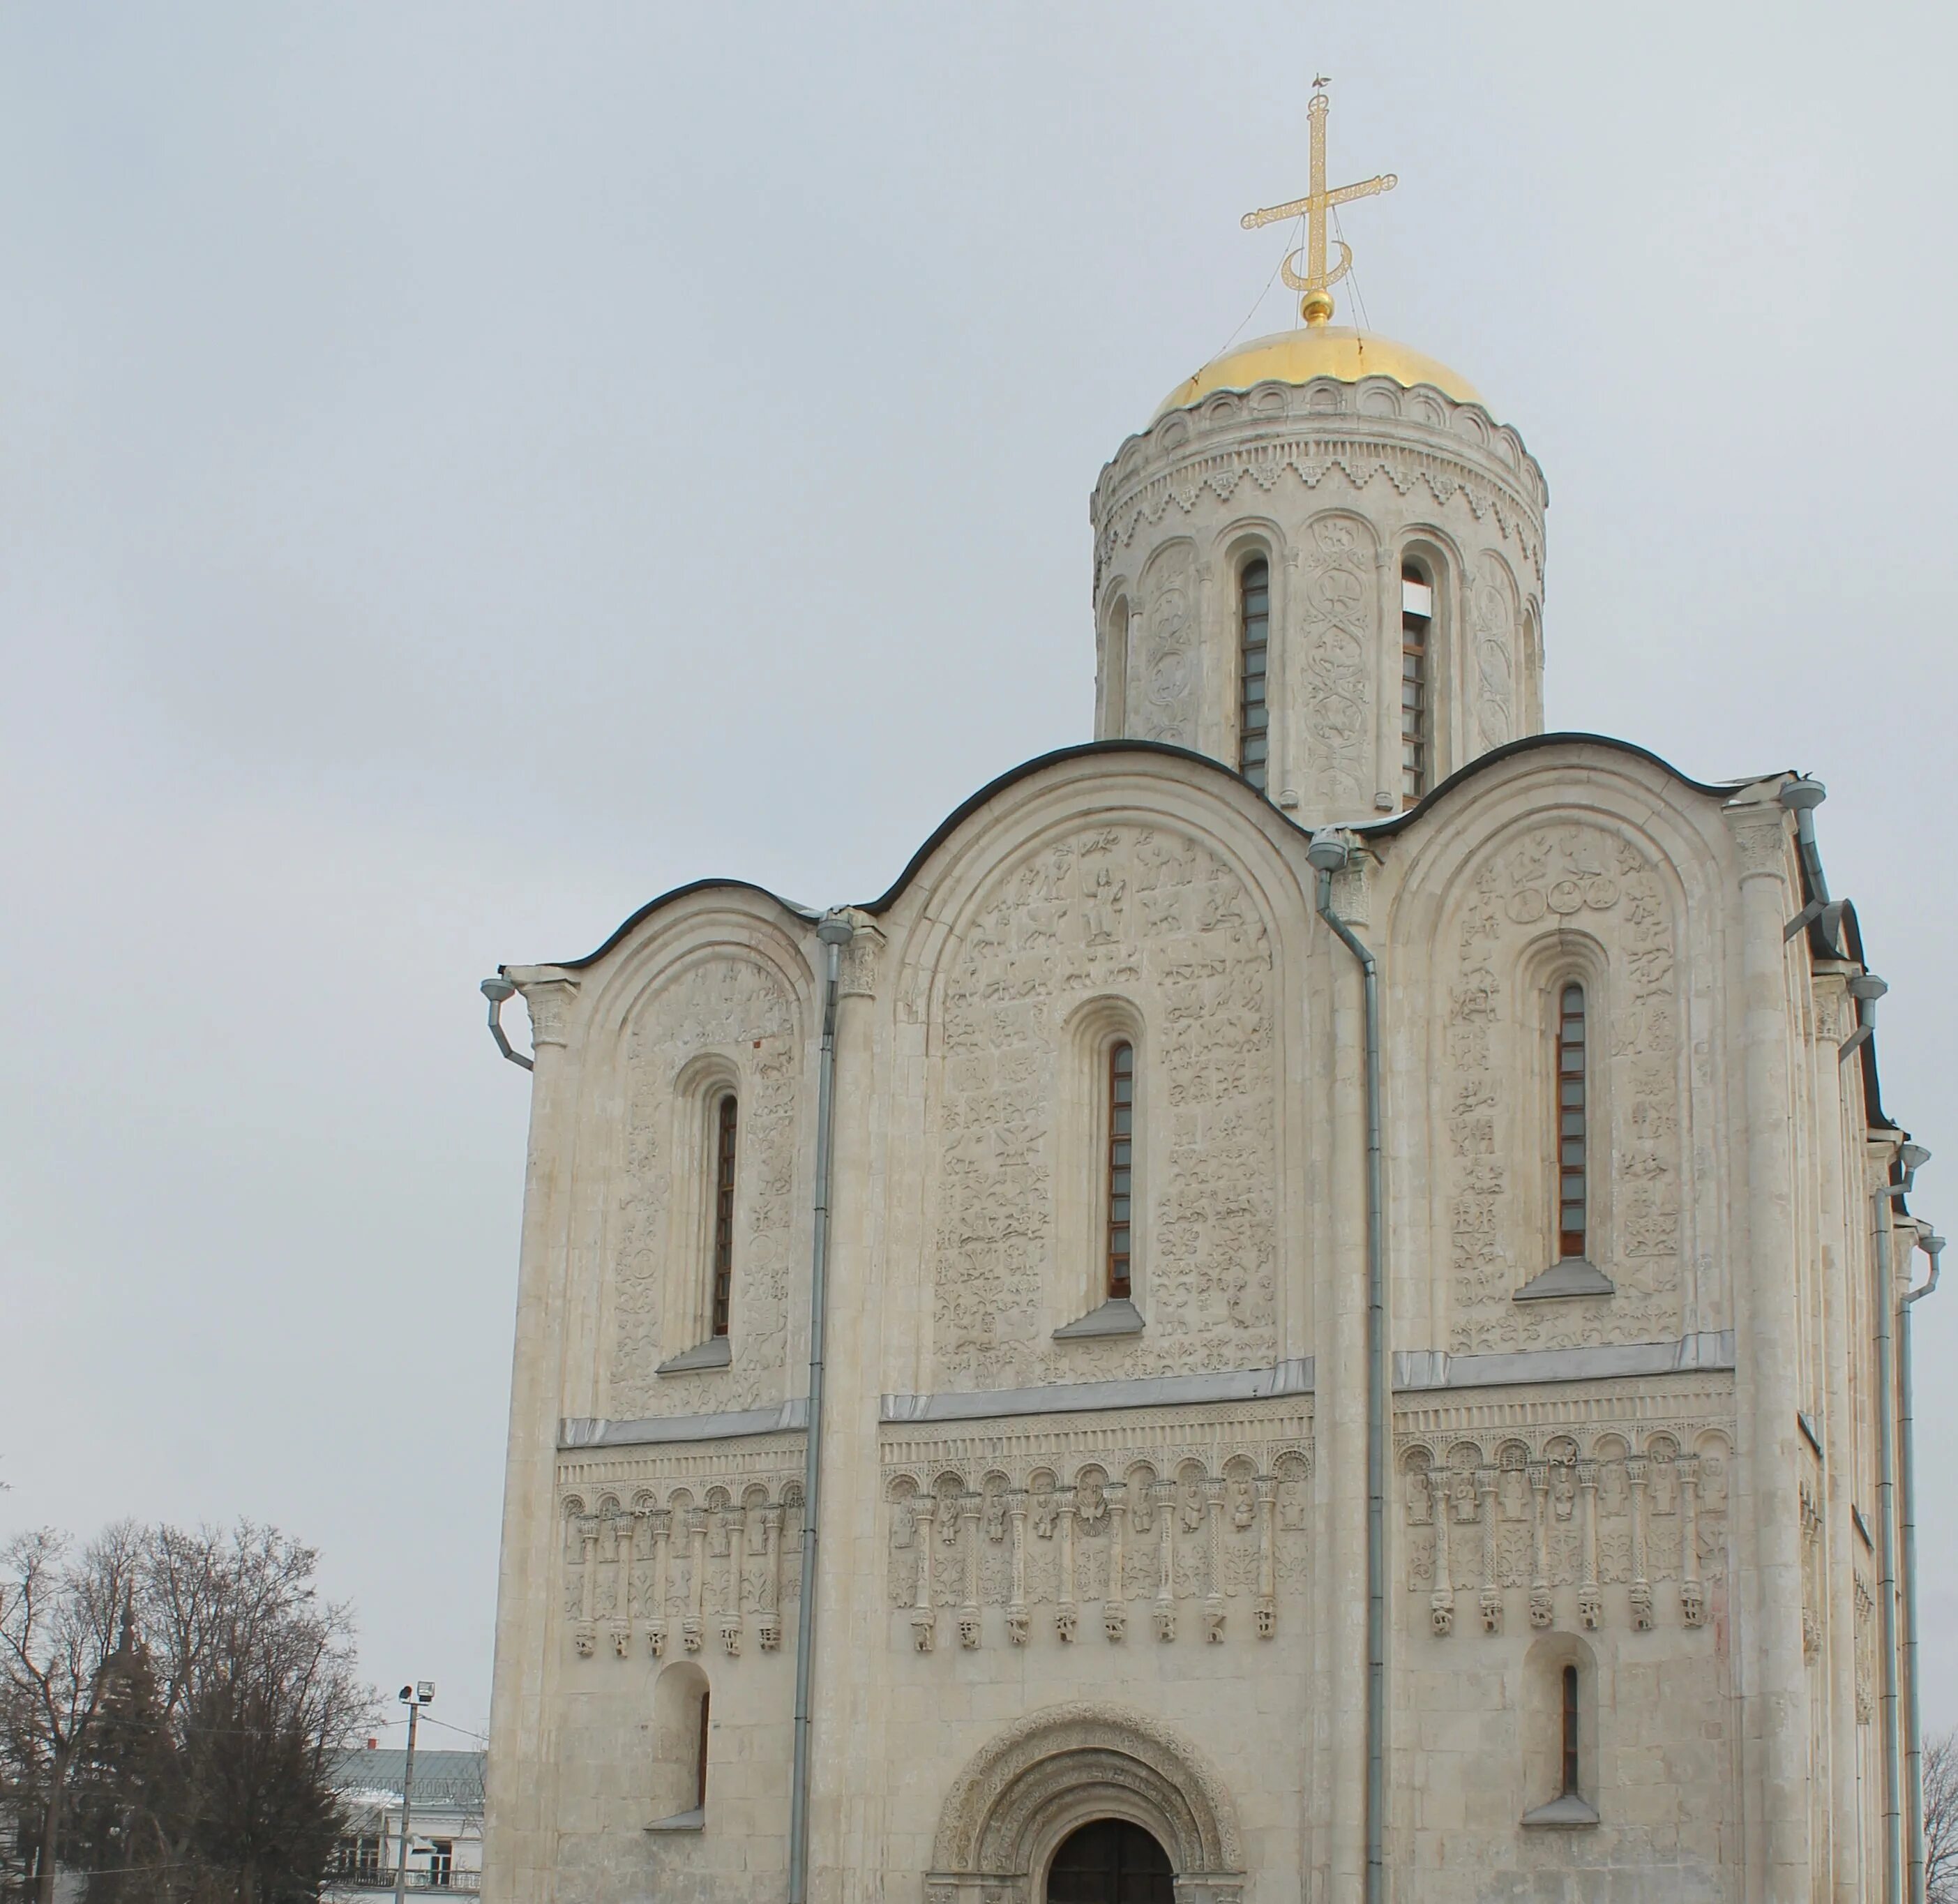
x=1325 y=1266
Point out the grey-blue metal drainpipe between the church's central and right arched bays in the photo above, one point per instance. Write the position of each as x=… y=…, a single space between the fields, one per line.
x=1327 y=855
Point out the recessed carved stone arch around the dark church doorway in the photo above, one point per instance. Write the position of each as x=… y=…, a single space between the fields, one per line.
x=1056 y=1772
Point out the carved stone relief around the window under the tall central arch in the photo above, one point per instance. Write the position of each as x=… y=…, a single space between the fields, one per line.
x=1156 y=918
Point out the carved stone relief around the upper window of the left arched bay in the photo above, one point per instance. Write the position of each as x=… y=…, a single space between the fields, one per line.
x=741 y=1010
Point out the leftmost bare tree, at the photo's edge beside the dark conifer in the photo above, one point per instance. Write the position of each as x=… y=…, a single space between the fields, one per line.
x=60 y=1617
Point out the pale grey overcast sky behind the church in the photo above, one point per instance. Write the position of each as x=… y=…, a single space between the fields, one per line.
x=467 y=469
